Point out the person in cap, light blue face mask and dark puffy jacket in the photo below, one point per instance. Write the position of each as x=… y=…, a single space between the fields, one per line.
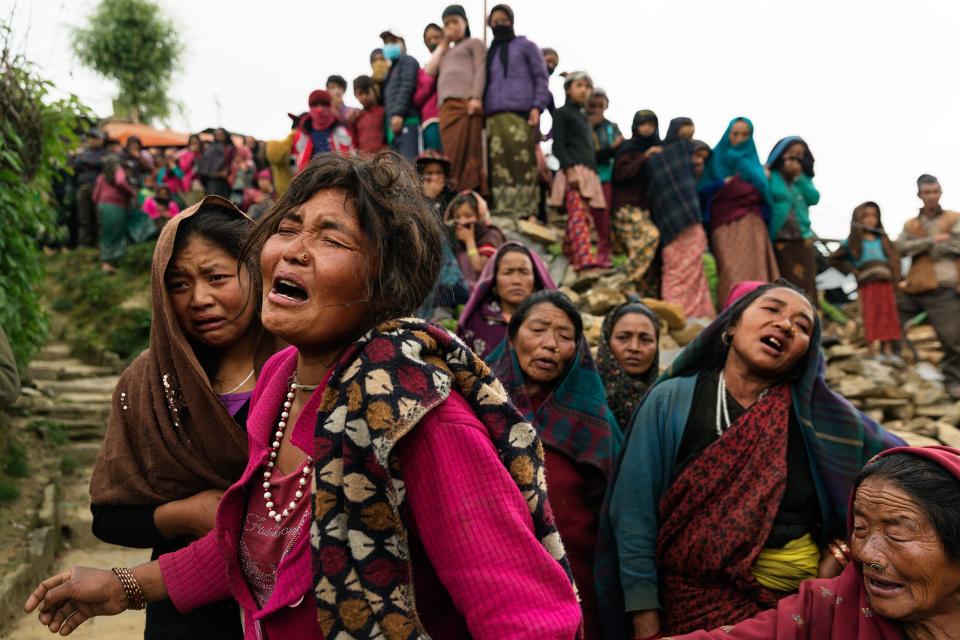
x=403 y=120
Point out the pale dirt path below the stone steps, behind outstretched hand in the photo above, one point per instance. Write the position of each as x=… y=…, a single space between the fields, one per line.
x=126 y=626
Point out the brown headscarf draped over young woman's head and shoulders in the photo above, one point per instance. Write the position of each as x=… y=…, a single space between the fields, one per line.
x=169 y=437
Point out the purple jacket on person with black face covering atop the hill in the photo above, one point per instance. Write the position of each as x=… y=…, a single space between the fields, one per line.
x=525 y=85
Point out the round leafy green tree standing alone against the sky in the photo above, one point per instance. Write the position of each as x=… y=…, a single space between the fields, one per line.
x=133 y=43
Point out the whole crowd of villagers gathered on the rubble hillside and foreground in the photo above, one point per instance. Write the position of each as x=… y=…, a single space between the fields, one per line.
x=308 y=458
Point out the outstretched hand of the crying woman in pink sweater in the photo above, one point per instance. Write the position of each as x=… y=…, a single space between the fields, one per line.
x=68 y=599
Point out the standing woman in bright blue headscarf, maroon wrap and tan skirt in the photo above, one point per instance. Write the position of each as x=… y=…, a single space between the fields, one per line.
x=736 y=204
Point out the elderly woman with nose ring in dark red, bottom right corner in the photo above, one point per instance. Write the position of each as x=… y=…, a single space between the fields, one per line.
x=903 y=578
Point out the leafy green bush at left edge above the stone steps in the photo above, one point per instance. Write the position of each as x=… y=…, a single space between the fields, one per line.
x=36 y=136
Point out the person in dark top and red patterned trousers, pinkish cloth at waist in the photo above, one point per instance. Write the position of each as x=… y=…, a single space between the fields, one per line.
x=576 y=186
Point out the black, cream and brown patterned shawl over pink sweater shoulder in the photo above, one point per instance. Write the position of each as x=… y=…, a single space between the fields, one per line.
x=382 y=386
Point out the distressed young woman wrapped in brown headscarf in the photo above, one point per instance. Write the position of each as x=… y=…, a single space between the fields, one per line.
x=176 y=437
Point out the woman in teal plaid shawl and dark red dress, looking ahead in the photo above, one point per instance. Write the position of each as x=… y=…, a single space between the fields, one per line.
x=546 y=368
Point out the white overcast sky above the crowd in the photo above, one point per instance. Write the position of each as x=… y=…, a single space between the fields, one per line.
x=872 y=87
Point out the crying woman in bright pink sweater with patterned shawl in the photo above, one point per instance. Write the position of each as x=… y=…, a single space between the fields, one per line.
x=391 y=488
